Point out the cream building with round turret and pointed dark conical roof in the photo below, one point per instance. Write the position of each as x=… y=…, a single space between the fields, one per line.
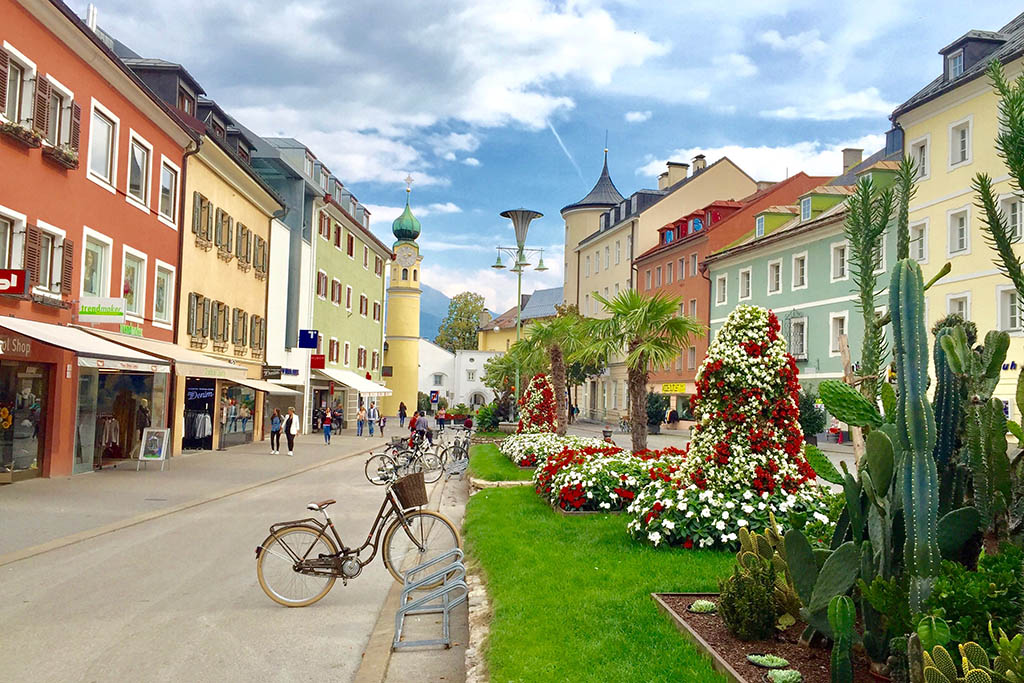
x=604 y=258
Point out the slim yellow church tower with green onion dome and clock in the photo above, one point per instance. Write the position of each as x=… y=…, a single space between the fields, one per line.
x=402 y=351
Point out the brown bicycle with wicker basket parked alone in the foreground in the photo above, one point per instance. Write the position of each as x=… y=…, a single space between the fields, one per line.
x=300 y=563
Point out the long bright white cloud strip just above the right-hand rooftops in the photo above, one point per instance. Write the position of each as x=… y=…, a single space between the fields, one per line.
x=773 y=163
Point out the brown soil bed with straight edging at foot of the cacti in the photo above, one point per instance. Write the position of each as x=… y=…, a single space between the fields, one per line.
x=729 y=654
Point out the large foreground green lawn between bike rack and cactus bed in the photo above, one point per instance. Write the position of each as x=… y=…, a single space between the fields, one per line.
x=572 y=595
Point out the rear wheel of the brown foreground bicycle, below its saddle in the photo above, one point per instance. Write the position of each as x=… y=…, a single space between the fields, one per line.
x=278 y=559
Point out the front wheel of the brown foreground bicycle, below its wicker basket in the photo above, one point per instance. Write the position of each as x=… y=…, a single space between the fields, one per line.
x=434 y=532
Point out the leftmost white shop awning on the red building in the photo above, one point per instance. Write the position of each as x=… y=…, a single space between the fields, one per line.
x=93 y=352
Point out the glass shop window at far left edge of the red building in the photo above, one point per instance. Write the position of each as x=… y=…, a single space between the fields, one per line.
x=24 y=395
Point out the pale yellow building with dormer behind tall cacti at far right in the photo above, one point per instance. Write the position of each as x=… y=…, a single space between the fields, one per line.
x=950 y=131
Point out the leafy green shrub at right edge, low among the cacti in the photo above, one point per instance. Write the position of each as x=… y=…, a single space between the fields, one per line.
x=968 y=601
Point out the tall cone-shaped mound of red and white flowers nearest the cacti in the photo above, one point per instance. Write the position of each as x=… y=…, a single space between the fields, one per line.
x=746 y=459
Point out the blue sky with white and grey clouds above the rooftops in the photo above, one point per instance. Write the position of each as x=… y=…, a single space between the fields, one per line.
x=492 y=106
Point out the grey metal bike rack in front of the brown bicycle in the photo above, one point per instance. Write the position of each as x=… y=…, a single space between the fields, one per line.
x=439 y=599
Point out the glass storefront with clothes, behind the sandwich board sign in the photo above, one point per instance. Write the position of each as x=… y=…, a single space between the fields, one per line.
x=114 y=408
